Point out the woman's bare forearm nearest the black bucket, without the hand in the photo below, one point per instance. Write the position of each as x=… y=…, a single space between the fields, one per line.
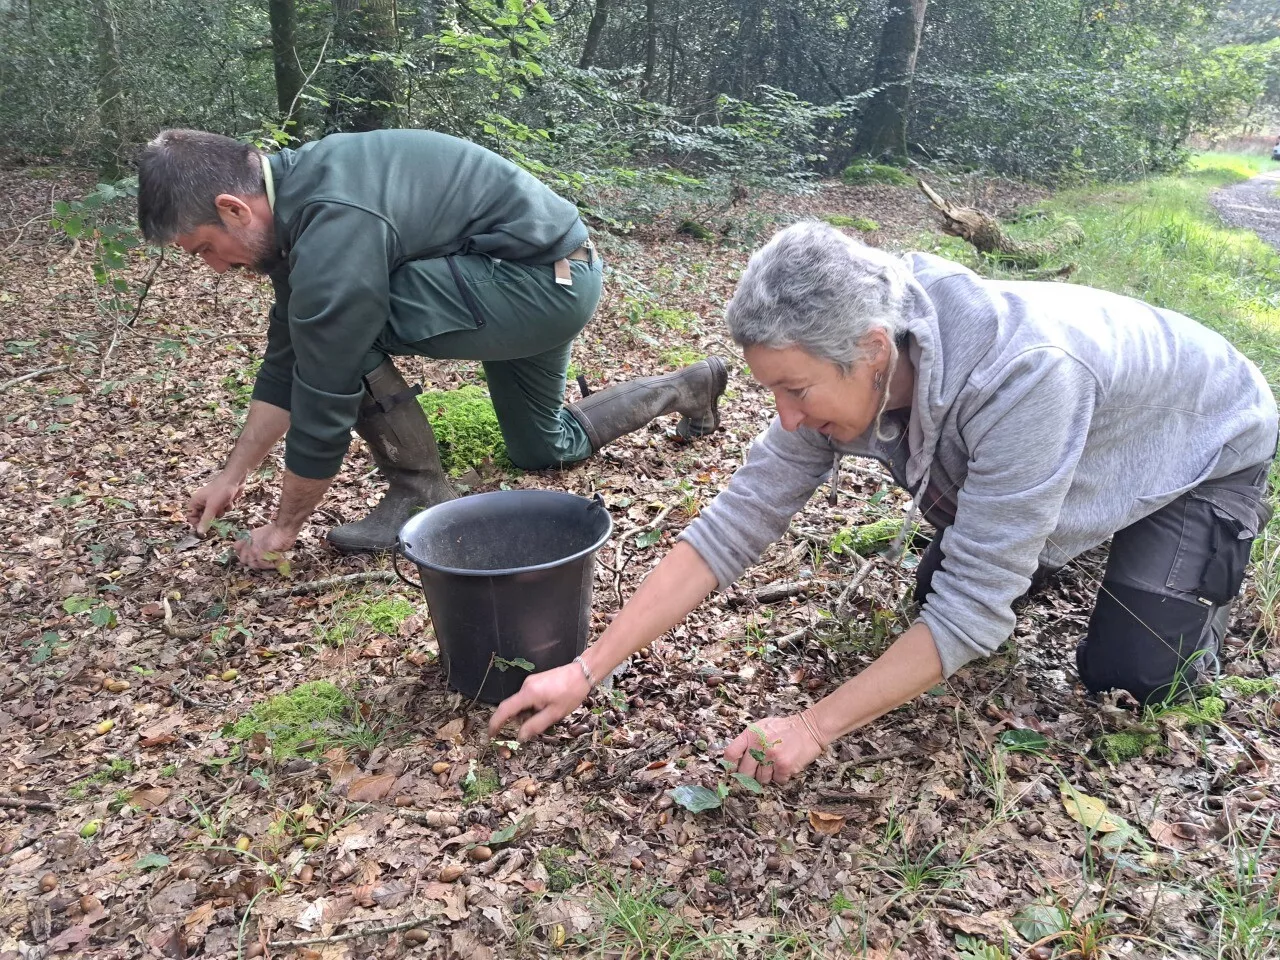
x=666 y=597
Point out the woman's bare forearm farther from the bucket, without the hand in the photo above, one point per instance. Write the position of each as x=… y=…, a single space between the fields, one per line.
x=903 y=673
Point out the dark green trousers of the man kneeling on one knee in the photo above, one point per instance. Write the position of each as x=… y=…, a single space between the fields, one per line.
x=519 y=323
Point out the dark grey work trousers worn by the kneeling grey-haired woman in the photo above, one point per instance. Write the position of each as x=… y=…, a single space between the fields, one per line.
x=1162 y=610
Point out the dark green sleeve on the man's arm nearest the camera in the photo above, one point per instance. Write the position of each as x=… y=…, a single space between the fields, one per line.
x=340 y=269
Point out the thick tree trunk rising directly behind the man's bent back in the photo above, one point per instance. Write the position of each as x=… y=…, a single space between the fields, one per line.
x=372 y=89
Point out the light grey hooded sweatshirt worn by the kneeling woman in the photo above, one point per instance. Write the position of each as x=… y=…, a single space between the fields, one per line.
x=1045 y=418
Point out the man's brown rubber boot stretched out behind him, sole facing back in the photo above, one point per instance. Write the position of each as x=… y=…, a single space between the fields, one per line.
x=693 y=392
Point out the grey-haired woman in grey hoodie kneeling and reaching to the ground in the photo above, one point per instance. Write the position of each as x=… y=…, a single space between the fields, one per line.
x=1030 y=422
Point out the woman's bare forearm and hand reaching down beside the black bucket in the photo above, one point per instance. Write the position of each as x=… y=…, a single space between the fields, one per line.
x=666 y=597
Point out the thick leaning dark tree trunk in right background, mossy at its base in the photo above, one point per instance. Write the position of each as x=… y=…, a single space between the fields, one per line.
x=884 y=129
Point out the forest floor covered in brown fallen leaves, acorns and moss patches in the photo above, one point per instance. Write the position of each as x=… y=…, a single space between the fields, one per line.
x=203 y=761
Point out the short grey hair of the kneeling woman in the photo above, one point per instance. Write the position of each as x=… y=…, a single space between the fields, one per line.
x=816 y=289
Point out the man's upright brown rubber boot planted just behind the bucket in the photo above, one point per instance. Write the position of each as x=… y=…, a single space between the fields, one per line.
x=404 y=447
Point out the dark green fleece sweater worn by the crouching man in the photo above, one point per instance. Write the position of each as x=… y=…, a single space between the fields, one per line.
x=350 y=209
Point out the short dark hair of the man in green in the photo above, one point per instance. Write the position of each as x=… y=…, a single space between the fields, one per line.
x=181 y=173
